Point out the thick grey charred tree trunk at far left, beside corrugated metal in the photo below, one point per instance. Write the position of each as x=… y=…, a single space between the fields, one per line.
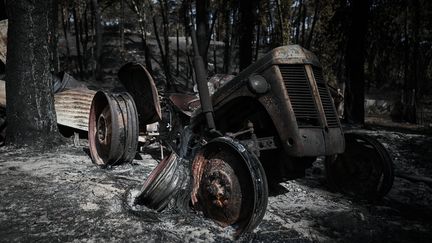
x=30 y=110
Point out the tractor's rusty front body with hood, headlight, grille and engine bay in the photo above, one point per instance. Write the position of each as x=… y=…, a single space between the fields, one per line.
x=281 y=110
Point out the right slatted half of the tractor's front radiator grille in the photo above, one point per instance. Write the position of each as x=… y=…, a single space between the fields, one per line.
x=327 y=102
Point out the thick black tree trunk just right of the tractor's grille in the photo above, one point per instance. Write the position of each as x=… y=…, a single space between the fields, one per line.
x=355 y=58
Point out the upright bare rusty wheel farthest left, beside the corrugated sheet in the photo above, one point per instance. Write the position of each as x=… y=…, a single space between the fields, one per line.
x=113 y=128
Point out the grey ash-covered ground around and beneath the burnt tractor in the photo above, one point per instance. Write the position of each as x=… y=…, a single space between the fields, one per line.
x=61 y=196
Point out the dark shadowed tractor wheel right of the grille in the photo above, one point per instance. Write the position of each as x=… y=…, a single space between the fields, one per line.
x=364 y=170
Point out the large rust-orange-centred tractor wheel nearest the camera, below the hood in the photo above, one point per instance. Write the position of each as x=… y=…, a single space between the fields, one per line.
x=229 y=185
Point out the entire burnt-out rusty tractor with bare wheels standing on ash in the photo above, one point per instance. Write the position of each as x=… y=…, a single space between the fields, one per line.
x=266 y=125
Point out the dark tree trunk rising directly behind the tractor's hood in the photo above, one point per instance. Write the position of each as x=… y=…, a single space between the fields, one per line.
x=248 y=17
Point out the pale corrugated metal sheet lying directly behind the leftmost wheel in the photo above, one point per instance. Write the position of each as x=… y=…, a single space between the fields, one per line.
x=73 y=108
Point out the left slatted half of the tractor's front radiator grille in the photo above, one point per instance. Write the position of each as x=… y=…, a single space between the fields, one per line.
x=300 y=95
